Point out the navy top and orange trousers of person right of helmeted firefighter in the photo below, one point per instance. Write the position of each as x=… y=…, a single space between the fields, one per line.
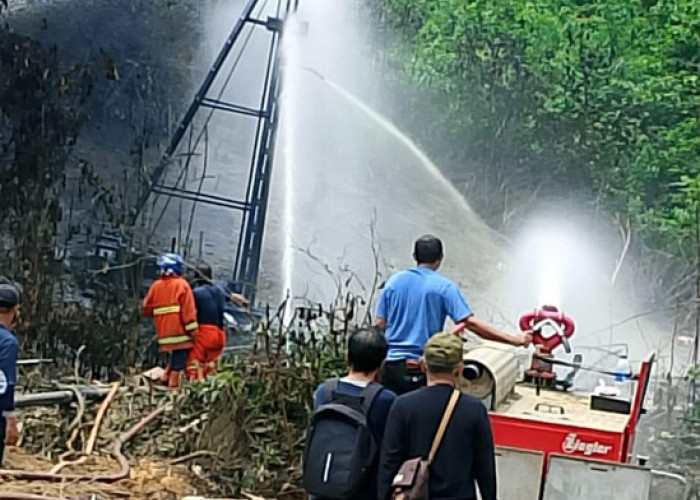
x=211 y=338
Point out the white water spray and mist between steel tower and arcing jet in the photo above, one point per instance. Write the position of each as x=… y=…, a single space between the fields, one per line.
x=344 y=161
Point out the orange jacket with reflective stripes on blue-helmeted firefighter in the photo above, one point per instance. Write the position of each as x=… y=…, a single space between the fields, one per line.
x=170 y=302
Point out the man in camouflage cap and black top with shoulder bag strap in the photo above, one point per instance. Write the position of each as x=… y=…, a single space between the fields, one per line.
x=465 y=456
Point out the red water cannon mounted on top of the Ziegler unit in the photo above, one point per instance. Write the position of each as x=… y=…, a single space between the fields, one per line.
x=564 y=328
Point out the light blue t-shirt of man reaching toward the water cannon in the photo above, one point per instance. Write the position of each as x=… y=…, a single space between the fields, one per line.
x=415 y=304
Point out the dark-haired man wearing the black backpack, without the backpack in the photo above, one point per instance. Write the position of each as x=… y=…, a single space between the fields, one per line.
x=366 y=352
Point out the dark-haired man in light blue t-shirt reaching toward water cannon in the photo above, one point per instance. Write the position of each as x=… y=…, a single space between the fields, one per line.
x=414 y=306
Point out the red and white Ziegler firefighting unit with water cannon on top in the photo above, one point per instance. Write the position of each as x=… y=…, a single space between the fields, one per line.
x=557 y=444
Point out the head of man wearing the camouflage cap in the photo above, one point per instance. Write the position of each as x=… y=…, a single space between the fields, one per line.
x=443 y=357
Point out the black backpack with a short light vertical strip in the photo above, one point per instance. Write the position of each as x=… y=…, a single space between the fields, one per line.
x=340 y=446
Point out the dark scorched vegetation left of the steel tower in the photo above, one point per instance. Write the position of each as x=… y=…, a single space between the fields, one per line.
x=74 y=124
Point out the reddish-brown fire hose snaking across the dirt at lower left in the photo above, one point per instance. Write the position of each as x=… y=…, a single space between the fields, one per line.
x=23 y=475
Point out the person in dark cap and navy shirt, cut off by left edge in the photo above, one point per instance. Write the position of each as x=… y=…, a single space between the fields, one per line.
x=9 y=350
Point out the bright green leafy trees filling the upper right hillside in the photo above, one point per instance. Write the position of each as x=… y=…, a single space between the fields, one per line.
x=559 y=96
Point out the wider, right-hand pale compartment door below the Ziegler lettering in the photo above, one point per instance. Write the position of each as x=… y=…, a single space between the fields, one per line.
x=577 y=479
